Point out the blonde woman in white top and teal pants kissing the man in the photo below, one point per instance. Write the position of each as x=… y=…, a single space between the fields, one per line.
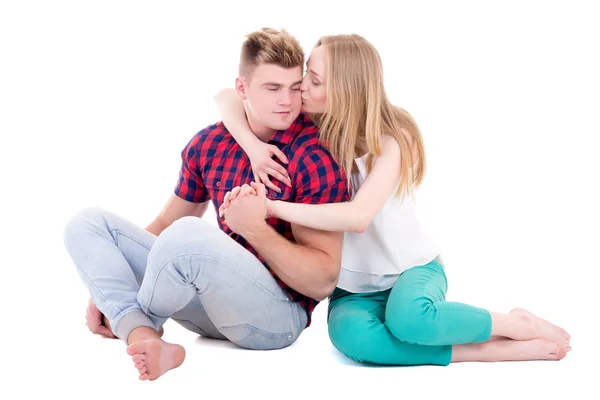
x=389 y=306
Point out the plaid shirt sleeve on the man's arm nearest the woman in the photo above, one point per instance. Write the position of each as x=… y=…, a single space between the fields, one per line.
x=321 y=180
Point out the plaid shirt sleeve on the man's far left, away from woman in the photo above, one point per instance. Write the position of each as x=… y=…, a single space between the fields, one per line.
x=190 y=185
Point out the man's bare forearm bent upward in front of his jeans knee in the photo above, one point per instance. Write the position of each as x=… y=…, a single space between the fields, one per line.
x=307 y=270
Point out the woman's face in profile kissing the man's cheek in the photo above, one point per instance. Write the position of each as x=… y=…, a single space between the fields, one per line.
x=314 y=97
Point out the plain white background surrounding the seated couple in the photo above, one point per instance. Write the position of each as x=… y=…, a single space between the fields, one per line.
x=97 y=99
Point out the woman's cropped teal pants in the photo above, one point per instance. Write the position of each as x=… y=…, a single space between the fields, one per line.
x=409 y=324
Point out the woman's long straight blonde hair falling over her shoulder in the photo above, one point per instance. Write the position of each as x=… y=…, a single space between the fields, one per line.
x=358 y=111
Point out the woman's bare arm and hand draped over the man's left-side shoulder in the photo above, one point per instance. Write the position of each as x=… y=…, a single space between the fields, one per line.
x=232 y=111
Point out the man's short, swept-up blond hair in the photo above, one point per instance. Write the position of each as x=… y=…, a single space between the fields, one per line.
x=270 y=46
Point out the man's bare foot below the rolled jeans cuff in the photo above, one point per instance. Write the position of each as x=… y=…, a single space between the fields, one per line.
x=154 y=357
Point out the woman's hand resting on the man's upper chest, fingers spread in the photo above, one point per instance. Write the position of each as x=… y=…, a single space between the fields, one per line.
x=263 y=165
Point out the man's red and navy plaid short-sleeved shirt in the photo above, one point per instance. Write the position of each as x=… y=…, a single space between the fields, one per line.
x=213 y=164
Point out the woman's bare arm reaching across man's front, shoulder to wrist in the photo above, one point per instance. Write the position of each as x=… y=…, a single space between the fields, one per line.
x=355 y=215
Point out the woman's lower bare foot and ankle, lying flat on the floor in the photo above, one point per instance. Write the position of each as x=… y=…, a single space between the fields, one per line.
x=508 y=350
